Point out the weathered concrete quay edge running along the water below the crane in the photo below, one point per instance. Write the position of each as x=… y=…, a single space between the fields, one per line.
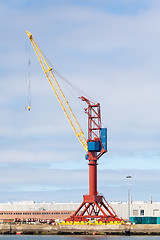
x=138 y=229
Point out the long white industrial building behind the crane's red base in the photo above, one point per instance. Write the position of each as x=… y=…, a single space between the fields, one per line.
x=136 y=208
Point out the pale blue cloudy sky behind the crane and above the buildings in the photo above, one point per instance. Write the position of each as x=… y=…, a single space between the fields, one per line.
x=108 y=49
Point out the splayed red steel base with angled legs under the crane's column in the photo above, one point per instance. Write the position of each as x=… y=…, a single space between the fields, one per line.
x=94 y=207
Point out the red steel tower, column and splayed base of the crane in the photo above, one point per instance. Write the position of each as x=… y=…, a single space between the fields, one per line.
x=94 y=206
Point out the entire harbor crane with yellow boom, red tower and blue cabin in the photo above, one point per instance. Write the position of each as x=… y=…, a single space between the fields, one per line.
x=94 y=206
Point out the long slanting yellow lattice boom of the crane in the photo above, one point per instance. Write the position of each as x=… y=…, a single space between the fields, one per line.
x=59 y=94
